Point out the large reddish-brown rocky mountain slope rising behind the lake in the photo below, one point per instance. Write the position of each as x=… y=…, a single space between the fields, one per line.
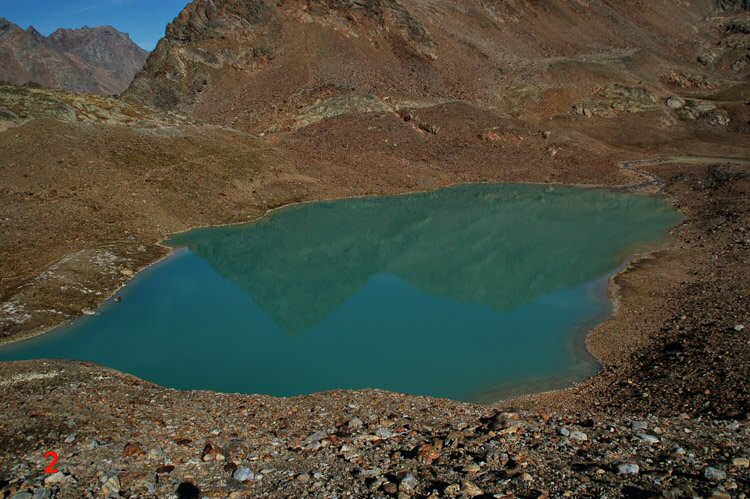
x=268 y=66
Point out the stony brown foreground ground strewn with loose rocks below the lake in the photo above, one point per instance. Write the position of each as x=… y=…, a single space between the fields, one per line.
x=157 y=442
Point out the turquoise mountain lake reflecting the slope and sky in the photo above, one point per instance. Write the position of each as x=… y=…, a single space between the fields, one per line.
x=469 y=293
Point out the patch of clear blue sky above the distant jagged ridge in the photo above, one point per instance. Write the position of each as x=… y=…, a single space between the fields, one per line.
x=144 y=20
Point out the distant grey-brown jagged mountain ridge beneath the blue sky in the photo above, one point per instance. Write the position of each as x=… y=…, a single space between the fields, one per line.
x=95 y=60
